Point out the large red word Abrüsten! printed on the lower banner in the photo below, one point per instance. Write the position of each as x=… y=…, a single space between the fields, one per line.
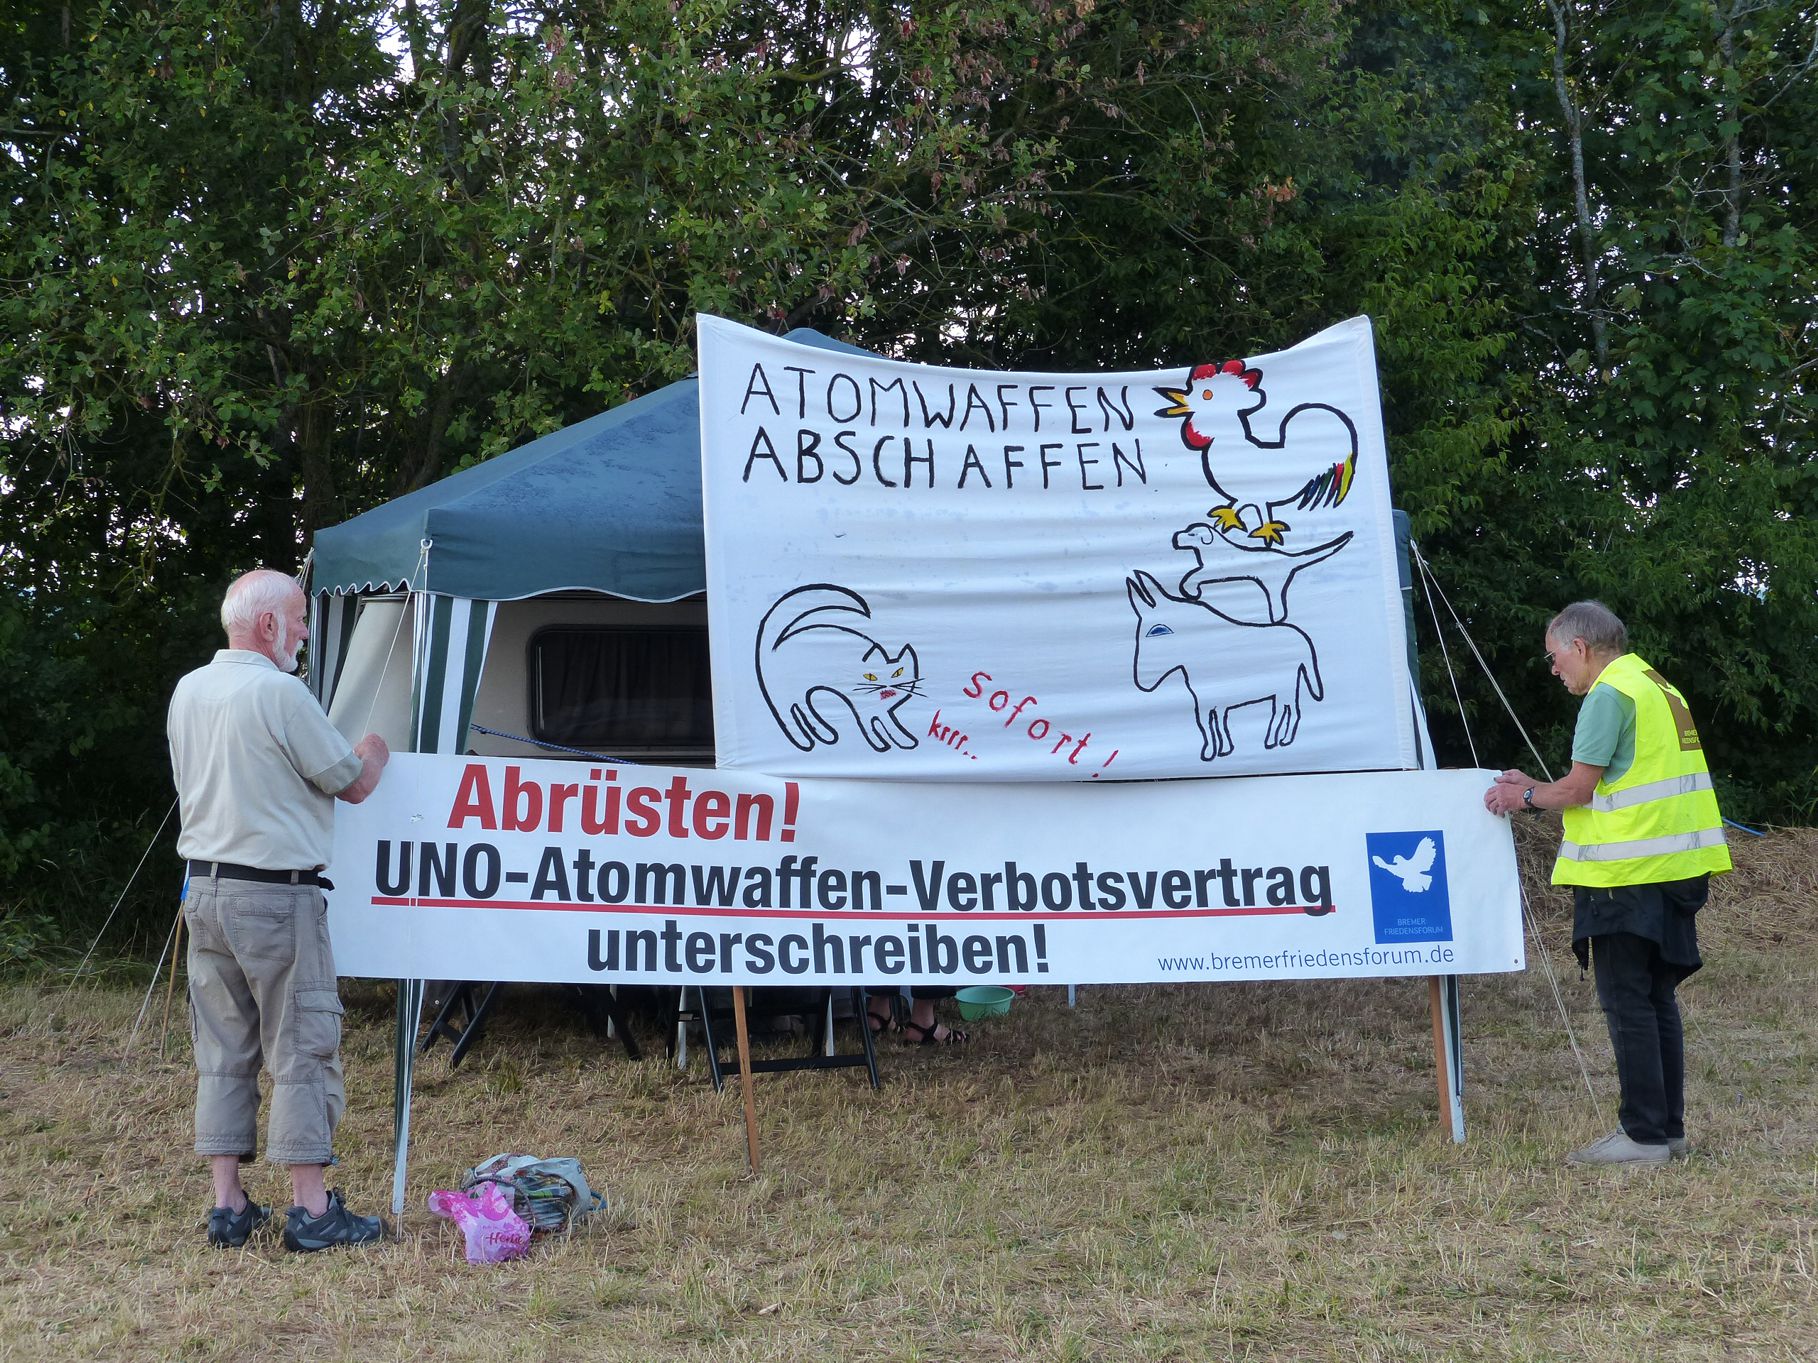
x=604 y=808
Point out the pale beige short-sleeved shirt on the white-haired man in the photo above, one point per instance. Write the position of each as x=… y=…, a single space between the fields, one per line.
x=257 y=766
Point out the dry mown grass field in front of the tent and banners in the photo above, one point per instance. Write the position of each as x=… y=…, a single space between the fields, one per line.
x=1164 y=1173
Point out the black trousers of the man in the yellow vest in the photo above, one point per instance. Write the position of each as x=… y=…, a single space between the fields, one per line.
x=1637 y=991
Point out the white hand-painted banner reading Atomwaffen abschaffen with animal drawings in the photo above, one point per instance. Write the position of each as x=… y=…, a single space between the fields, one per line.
x=955 y=575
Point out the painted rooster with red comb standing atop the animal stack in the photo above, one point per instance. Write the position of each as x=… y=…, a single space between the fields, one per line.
x=1306 y=463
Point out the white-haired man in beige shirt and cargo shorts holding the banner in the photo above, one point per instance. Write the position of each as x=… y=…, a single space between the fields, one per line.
x=259 y=770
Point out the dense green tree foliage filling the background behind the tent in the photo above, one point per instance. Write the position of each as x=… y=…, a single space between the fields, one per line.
x=270 y=264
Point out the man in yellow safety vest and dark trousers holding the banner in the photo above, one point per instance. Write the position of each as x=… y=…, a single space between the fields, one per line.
x=1643 y=839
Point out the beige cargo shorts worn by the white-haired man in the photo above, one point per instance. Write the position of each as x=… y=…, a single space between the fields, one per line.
x=263 y=988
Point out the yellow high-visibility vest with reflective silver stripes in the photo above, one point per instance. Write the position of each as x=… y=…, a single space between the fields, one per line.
x=1659 y=821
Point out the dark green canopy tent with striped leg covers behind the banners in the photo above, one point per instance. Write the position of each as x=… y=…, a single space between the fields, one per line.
x=610 y=504
